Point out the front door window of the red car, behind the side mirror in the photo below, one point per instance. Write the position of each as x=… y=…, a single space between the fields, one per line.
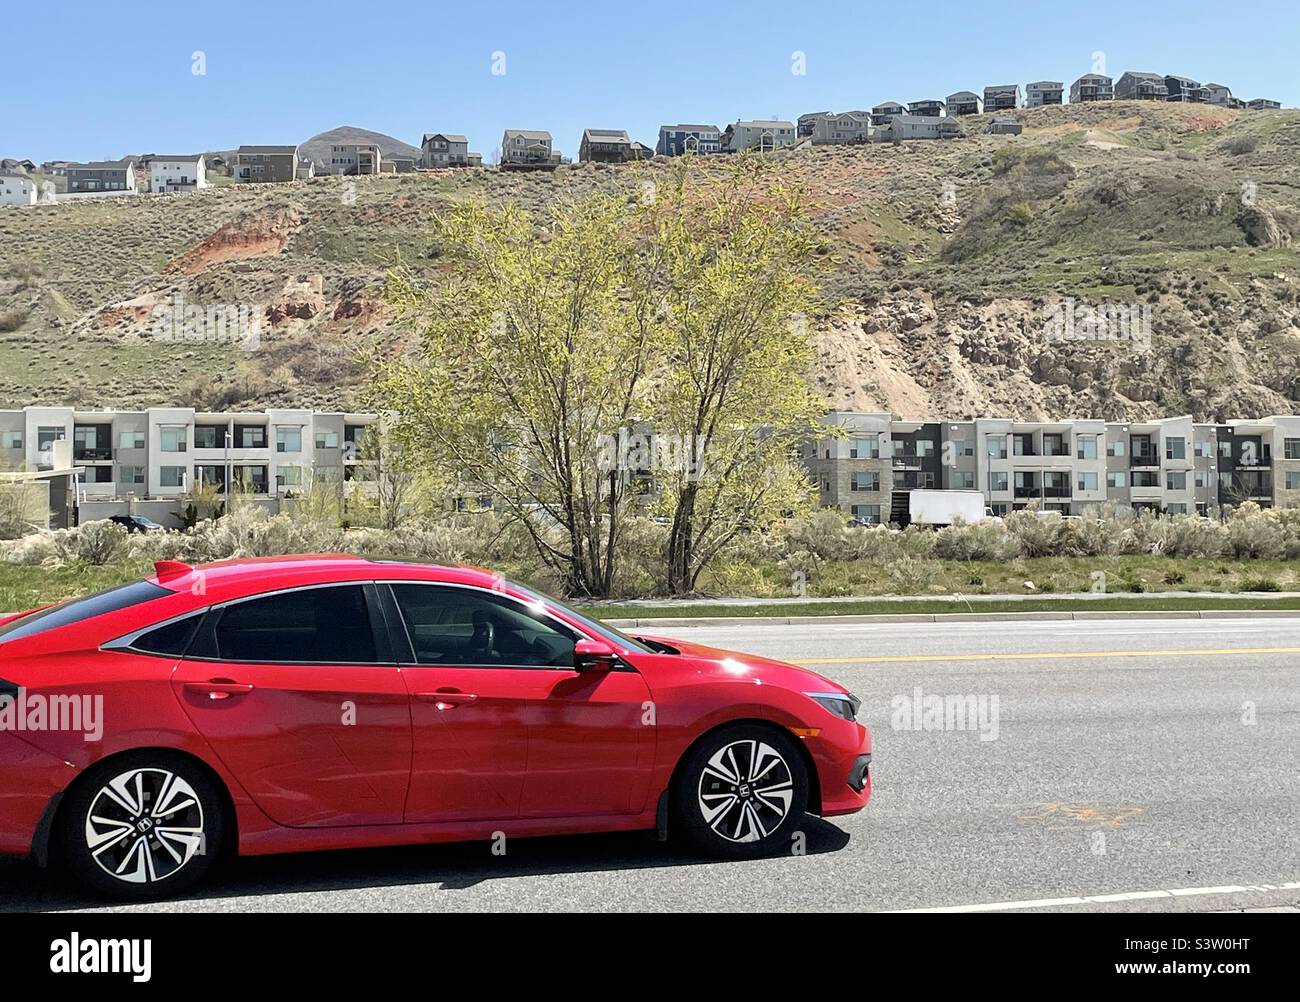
x=457 y=626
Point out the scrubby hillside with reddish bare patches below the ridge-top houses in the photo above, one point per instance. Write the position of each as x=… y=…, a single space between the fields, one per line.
x=944 y=257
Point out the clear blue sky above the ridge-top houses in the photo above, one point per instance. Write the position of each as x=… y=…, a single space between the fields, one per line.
x=93 y=84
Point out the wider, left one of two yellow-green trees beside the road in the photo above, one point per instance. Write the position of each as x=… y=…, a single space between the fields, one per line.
x=531 y=354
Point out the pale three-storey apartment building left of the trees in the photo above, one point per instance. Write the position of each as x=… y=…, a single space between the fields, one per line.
x=166 y=453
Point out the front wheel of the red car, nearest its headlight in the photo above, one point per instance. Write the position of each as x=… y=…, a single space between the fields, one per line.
x=720 y=805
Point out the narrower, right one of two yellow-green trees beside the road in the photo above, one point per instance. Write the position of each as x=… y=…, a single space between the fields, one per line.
x=736 y=289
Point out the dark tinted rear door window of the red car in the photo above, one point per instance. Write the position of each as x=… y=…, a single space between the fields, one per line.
x=320 y=626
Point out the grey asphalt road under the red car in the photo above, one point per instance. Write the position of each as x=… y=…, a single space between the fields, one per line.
x=1154 y=765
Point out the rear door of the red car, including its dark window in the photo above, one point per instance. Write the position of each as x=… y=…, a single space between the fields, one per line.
x=300 y=696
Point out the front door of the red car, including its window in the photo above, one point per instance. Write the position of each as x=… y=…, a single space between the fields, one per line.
x=504 y=726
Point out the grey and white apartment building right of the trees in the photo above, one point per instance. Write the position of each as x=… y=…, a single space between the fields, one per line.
x=1173 y=466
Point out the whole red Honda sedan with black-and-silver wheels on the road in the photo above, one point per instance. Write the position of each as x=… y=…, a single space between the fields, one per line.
x=330 y=702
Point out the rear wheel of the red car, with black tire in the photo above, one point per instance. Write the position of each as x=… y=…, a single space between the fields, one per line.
x=142 y=826
